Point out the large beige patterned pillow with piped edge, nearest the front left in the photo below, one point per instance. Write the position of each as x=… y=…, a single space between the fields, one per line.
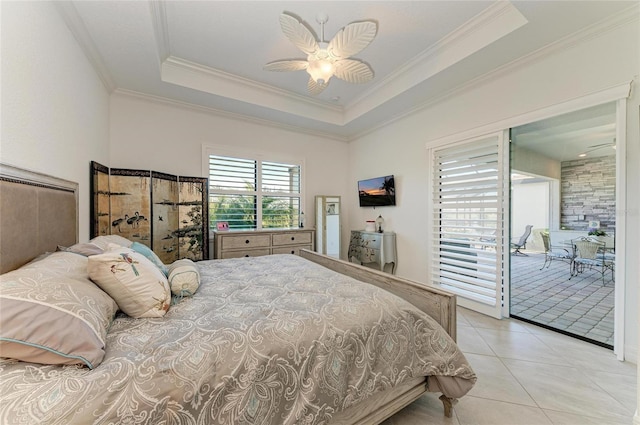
x=50 y=314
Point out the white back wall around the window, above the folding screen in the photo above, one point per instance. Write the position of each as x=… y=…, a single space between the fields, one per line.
x=160 y=136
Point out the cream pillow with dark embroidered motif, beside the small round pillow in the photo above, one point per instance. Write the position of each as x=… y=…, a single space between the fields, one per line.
x=138 y=287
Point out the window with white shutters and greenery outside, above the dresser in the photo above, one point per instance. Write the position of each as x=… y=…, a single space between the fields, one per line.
x=252 y=193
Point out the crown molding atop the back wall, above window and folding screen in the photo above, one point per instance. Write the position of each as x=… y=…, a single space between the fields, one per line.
x=224 y=114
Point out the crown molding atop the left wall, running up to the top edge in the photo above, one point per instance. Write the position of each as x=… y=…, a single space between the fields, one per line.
x=75 y=24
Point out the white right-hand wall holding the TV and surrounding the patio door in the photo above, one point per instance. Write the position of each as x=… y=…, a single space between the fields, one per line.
x=601 y=62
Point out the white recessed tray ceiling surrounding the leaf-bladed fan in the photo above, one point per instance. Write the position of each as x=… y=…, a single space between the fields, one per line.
x=211 y=53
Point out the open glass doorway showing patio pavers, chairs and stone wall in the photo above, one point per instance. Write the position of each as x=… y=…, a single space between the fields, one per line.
x=563 y=173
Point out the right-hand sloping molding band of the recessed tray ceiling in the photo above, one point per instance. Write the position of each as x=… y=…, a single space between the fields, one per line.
x=495 y=22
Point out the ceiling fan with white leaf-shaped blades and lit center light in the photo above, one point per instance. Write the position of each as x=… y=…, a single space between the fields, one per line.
x=327 y=59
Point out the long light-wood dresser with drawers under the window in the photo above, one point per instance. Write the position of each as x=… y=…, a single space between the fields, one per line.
x=253 y=243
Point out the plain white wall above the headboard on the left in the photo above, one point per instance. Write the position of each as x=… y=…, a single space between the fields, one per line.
x=55 y=109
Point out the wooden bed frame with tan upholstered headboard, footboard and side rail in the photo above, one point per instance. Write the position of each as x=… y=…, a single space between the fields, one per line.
x=39 y=212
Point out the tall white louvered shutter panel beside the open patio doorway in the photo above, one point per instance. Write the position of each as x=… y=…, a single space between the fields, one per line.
x=469 y=198
